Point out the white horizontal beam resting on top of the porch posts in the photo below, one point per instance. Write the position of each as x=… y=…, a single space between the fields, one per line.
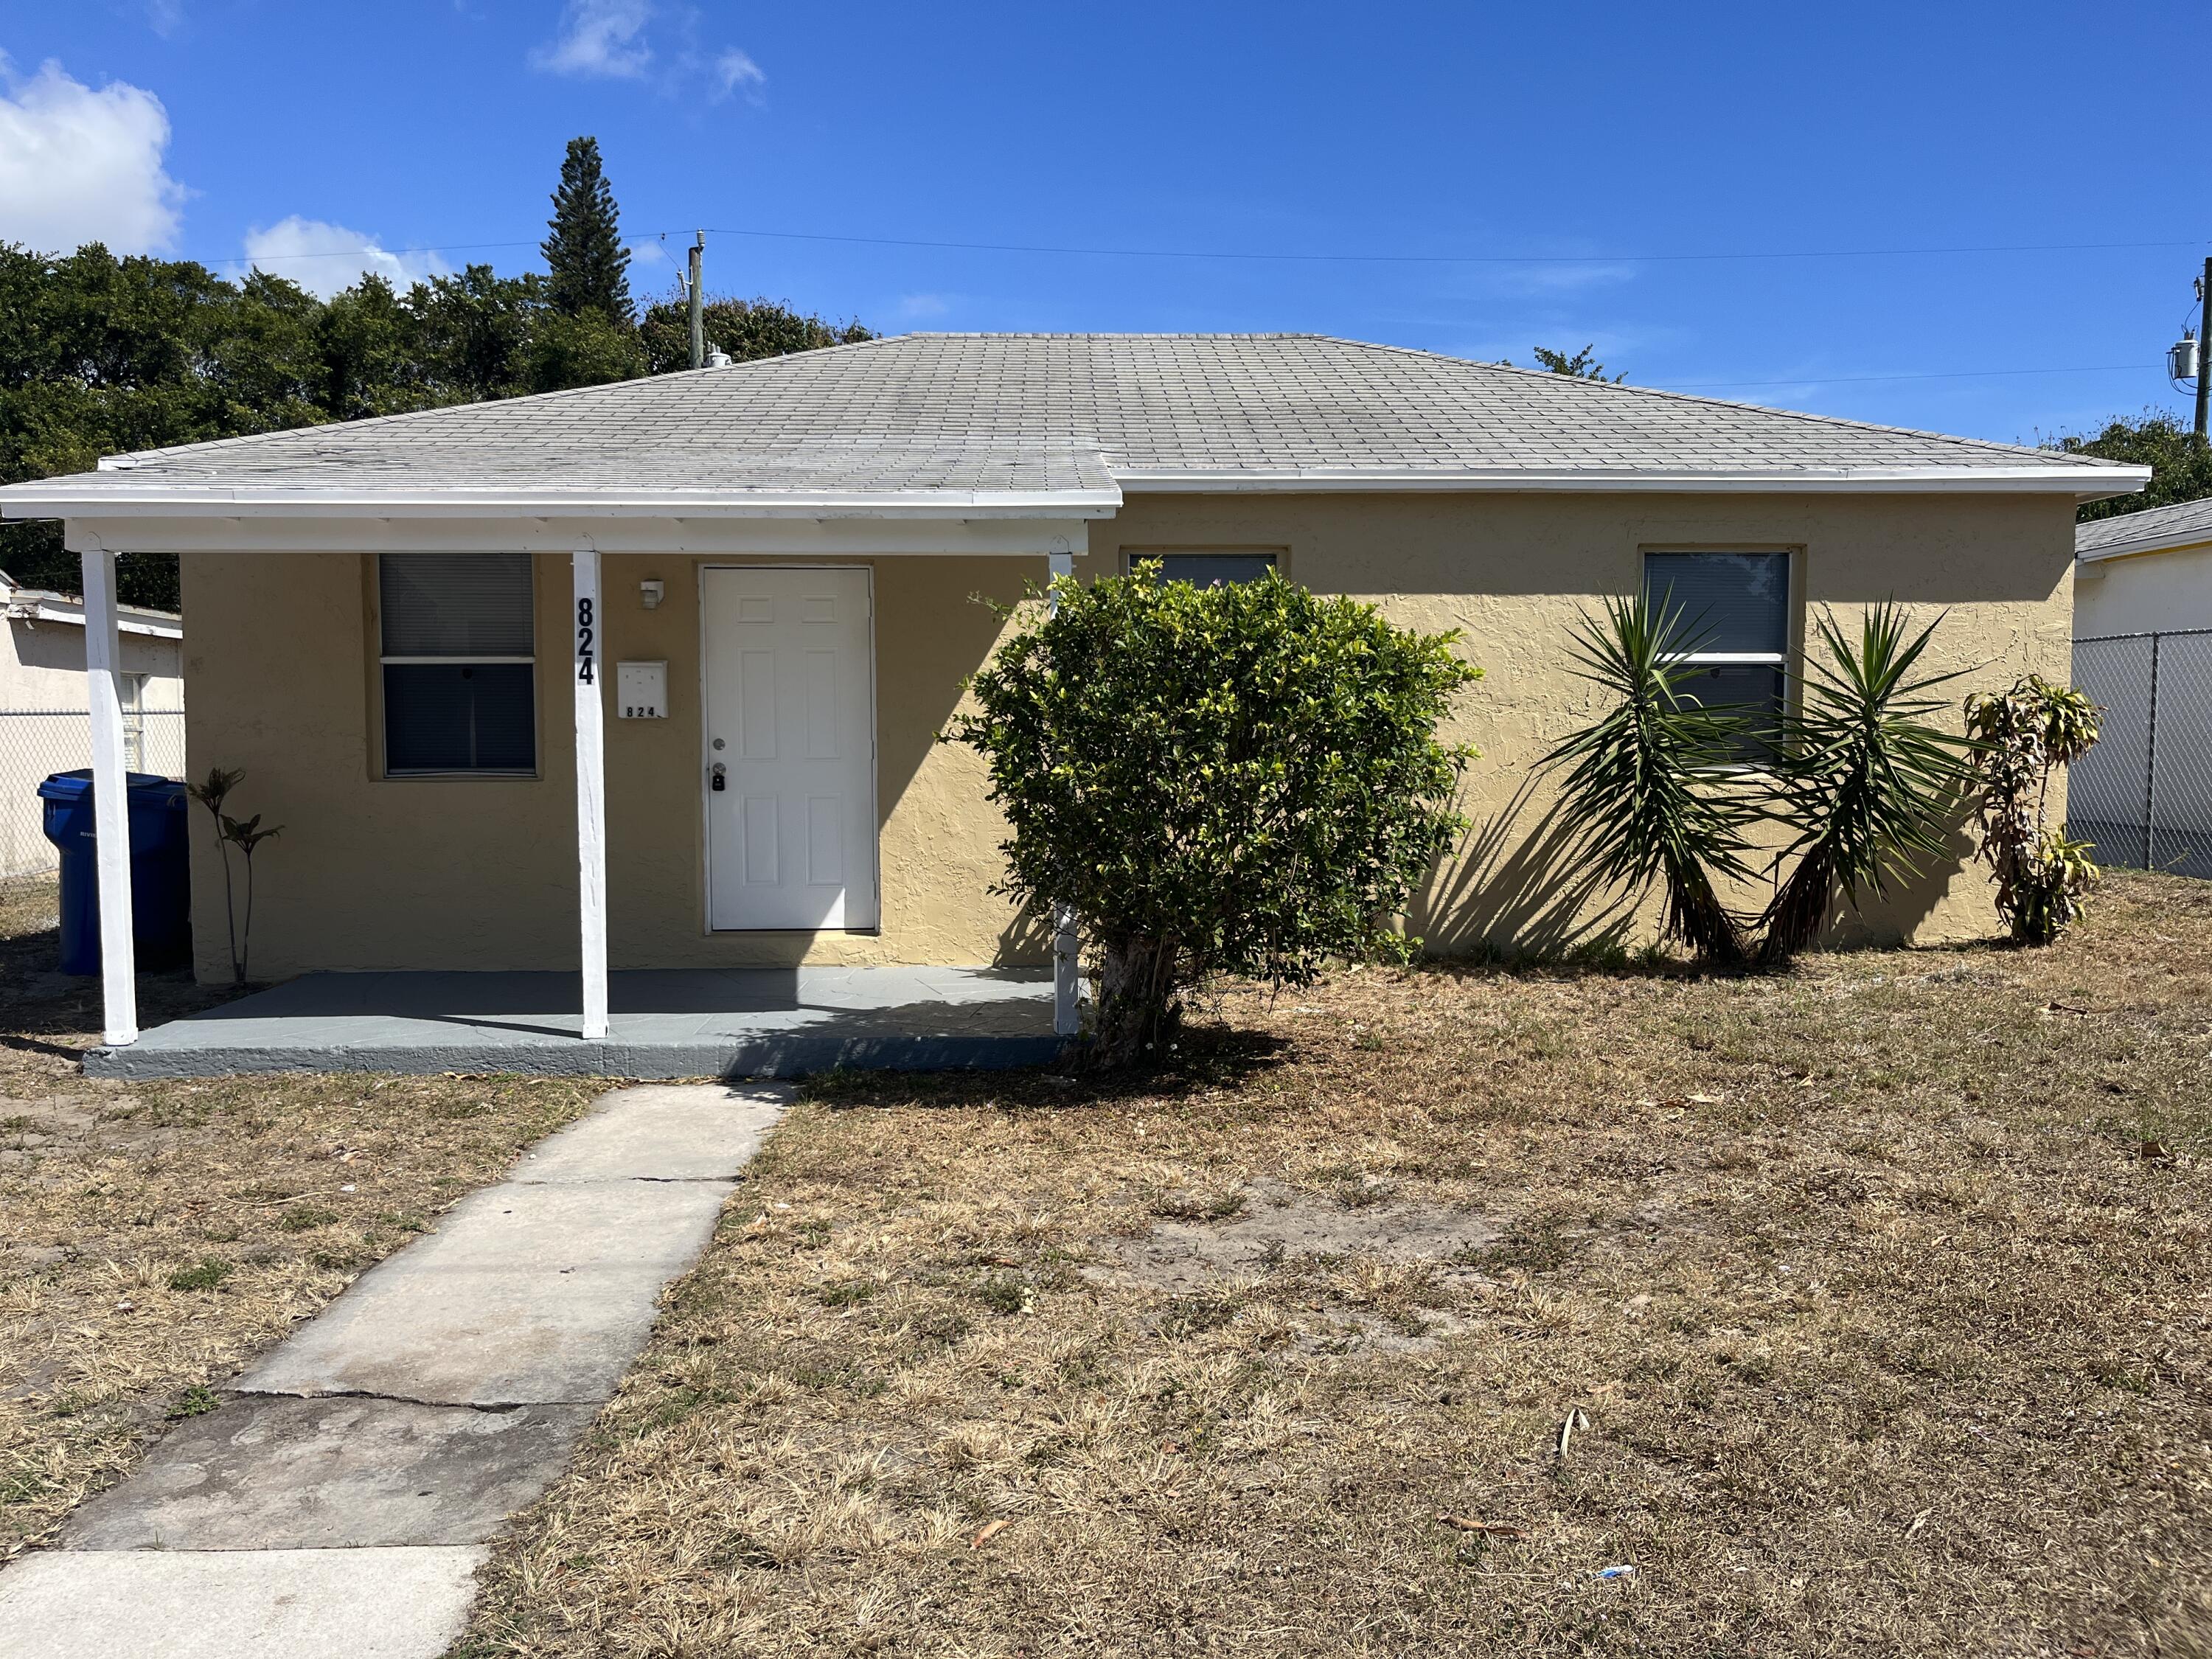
x=523 y=534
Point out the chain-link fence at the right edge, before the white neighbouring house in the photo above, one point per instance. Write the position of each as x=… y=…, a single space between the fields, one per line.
x=2145 y=793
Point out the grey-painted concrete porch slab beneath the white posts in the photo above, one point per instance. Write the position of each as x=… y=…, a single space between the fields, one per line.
x=667 y=1023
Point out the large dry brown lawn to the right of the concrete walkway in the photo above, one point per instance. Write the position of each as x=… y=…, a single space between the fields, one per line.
x=1866 y=1308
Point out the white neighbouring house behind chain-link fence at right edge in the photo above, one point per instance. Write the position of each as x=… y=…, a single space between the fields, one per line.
x=2145 y=651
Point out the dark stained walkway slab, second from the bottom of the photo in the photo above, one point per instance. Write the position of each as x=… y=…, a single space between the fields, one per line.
x=271 y=1474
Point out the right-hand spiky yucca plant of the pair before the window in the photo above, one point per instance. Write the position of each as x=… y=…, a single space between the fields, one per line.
x=1861 y=778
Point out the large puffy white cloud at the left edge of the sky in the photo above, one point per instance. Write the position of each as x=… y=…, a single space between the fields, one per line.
x=85 y=167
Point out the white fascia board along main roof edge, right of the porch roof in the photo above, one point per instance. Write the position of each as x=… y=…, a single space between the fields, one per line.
x=2080 y=483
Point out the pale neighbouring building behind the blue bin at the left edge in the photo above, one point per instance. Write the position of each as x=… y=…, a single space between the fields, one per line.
x=43 y=718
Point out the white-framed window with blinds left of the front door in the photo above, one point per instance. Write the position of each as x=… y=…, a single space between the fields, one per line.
x=459 y=662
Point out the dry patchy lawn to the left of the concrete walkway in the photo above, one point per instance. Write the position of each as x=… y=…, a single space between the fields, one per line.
x=158 y=1235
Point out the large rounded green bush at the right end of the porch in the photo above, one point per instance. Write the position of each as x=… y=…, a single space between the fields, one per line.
x=1235 y=780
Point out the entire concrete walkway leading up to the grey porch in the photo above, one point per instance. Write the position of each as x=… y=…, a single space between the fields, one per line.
x=342 y=1496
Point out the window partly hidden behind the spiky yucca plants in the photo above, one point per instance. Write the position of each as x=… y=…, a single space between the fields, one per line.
x=1735 y=609
